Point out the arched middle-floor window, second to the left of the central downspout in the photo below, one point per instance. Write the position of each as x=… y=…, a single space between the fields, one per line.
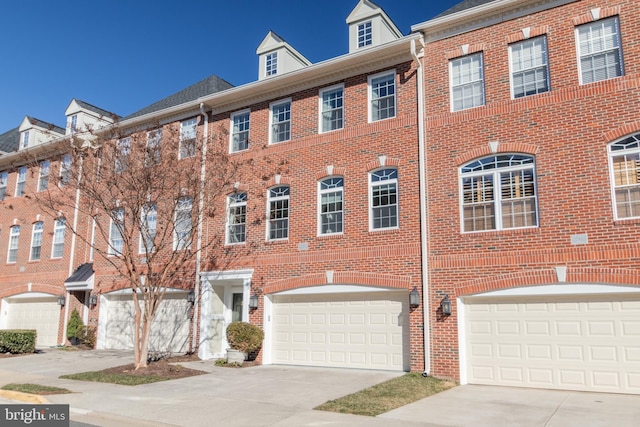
x=330 y=204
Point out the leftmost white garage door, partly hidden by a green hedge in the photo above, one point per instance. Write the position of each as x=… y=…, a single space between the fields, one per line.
x=41 y=314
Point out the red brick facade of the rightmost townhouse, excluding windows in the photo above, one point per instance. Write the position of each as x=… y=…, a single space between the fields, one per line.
x=567 y=131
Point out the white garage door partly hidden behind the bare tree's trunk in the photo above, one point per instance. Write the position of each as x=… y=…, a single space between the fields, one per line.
x=169 y=331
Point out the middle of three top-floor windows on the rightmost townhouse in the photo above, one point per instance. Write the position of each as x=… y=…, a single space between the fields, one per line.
x=529 y=67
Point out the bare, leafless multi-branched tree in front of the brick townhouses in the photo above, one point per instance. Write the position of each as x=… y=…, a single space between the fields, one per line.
x=144 y=196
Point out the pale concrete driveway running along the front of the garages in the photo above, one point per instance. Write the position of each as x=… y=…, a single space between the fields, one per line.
x=284 y=396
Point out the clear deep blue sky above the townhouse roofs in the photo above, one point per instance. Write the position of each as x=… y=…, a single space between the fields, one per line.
x=122 y=55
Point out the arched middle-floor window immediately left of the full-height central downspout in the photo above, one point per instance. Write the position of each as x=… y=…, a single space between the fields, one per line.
x=383 y=199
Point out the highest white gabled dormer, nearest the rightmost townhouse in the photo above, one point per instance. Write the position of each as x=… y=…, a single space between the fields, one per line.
x=370 y=26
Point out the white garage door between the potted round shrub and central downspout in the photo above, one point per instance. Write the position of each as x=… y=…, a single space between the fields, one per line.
x=356 y=330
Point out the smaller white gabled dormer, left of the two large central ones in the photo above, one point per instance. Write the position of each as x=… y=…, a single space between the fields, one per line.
x=277 y=57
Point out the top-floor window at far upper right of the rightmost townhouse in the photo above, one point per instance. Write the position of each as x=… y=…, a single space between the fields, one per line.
x=599 y=50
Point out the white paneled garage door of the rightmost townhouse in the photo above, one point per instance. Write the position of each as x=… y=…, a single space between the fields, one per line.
x=589 y=343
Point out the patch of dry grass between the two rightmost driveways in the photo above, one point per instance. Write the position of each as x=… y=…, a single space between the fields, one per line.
x=388 y=395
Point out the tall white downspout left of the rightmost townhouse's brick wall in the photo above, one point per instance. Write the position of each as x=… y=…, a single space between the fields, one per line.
x=424 y=229
